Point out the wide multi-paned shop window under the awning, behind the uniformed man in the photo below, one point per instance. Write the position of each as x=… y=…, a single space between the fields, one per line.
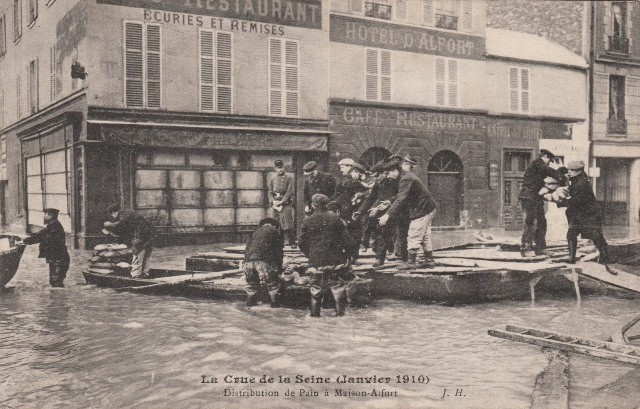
x=197 y=191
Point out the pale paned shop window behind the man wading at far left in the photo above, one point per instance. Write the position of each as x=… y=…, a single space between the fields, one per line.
x=48 y=181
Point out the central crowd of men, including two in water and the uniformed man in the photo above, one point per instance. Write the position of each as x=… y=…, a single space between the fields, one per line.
x=388 y=202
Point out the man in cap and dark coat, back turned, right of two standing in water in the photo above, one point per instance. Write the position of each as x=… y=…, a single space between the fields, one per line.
x=325 y=241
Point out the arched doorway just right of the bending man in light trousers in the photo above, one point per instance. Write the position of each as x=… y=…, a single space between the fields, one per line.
x=445 y=183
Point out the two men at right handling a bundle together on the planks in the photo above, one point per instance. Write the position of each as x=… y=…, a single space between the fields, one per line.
x=582 y=210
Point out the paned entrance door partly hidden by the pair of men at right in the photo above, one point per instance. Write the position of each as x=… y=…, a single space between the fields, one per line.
x=514 y=165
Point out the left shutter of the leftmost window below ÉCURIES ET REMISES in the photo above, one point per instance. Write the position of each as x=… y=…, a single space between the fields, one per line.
x=133 y=65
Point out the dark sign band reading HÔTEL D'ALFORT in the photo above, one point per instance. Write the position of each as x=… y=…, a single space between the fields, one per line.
x=378 y=34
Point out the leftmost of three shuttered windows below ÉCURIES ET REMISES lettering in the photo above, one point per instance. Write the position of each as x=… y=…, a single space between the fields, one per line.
x=143 y=65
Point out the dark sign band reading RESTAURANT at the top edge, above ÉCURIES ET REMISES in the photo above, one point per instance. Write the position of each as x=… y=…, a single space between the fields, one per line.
x=296 y=13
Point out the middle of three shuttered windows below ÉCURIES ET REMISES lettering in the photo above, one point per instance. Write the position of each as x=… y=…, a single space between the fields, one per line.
x=215 y=71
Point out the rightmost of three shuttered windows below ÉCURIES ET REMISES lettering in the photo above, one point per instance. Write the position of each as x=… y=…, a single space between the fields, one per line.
x=283 y=77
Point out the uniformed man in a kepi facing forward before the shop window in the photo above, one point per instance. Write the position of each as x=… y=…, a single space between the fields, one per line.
x=281 y=190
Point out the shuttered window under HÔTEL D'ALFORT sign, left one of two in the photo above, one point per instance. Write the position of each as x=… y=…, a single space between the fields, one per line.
x=378 y=75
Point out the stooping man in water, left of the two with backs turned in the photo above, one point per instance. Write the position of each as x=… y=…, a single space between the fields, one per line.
x=263 y=261
